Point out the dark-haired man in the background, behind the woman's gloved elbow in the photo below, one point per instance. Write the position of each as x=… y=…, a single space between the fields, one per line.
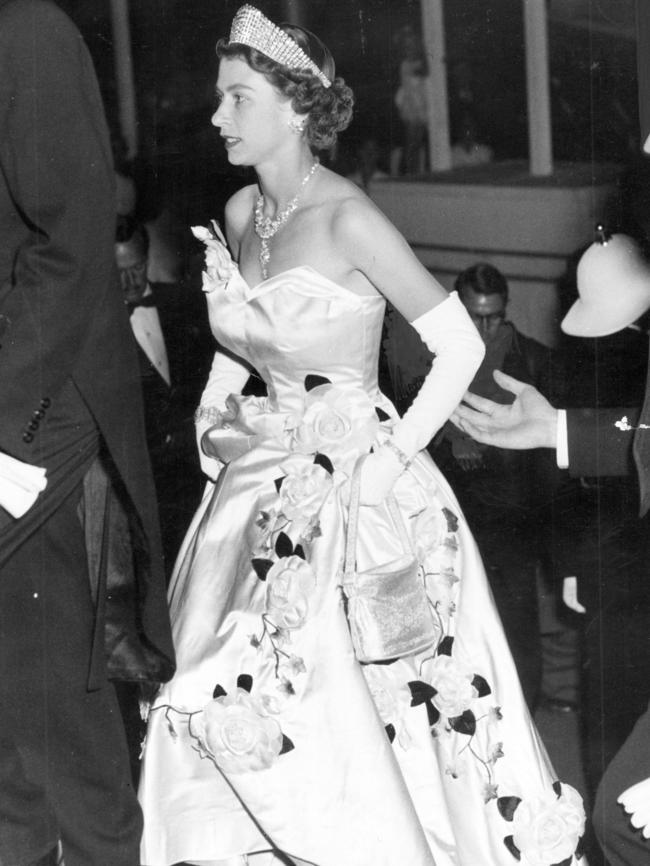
x=500 y=491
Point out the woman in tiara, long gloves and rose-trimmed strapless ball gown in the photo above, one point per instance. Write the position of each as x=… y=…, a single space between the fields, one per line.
x=274 y=743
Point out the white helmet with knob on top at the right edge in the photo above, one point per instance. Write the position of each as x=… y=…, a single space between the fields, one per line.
x=613 y=286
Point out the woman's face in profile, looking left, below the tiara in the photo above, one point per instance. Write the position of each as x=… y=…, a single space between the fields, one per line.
x=252 y=116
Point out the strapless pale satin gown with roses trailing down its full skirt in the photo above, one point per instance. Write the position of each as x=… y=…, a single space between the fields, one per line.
x=427 y=760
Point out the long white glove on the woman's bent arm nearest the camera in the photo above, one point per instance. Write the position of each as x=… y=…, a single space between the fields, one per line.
x=449 y=333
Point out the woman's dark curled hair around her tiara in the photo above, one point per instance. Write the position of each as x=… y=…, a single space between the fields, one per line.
x=329 y=109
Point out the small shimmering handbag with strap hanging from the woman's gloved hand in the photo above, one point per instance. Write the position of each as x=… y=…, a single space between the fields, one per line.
x=387 y=606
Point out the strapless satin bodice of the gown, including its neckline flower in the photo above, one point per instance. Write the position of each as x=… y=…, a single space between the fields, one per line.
x=293 y=325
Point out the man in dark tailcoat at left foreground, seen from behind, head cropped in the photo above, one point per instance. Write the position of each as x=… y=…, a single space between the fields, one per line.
x=81 y=582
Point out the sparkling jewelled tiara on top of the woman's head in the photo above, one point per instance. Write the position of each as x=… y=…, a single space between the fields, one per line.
x=250 y=27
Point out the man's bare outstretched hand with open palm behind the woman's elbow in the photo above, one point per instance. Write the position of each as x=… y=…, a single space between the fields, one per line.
x=529 y=422
